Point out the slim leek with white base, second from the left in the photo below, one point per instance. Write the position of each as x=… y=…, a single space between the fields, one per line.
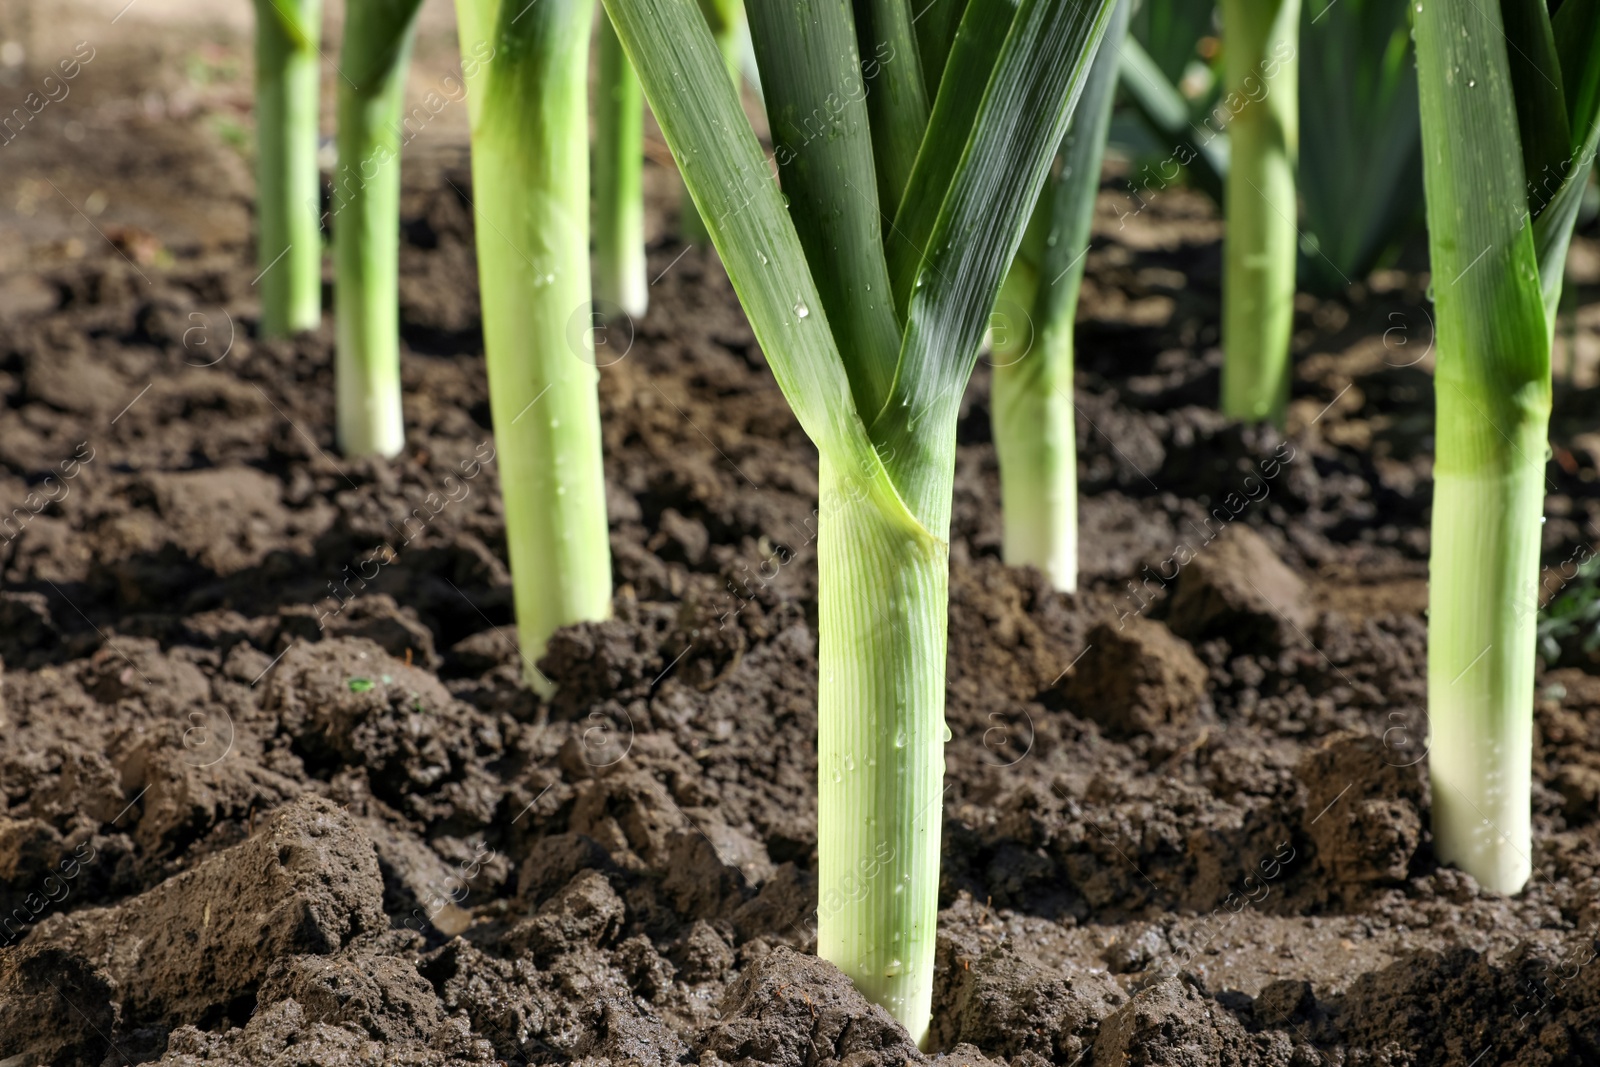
x=375 y=57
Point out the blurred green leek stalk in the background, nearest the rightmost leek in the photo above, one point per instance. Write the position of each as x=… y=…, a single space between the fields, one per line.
x=1258 y=249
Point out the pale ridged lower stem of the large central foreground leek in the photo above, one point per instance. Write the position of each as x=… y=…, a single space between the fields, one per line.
x=881 y=745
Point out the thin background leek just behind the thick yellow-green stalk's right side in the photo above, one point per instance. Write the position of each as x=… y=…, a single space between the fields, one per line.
x=620 y=169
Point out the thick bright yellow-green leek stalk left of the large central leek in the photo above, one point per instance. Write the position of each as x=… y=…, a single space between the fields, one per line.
x=530 y=180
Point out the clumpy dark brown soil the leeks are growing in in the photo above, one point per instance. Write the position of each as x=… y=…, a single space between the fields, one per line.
x=258 y=810
